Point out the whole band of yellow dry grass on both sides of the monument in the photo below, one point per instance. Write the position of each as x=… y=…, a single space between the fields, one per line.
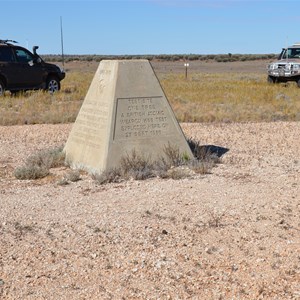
x=220 y=97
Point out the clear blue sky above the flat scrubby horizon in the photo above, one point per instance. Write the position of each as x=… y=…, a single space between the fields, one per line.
x=152 y=26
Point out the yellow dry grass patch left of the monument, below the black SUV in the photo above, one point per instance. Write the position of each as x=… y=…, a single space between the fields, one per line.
x=38 y=107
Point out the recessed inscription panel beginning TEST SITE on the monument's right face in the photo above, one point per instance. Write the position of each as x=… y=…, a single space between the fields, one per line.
x=142 y=117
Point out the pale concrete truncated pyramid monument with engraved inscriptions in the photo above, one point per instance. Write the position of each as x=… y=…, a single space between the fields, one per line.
x=125 y=109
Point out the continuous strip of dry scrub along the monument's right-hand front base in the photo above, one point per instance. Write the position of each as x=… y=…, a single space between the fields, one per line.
x=171 y=164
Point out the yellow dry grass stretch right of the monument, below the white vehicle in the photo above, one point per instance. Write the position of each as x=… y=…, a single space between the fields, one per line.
x=230 y=98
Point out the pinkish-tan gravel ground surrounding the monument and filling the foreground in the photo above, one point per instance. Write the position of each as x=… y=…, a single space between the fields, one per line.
x=231 y=234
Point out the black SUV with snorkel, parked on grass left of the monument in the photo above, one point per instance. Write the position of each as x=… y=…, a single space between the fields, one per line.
x=21 y=70
